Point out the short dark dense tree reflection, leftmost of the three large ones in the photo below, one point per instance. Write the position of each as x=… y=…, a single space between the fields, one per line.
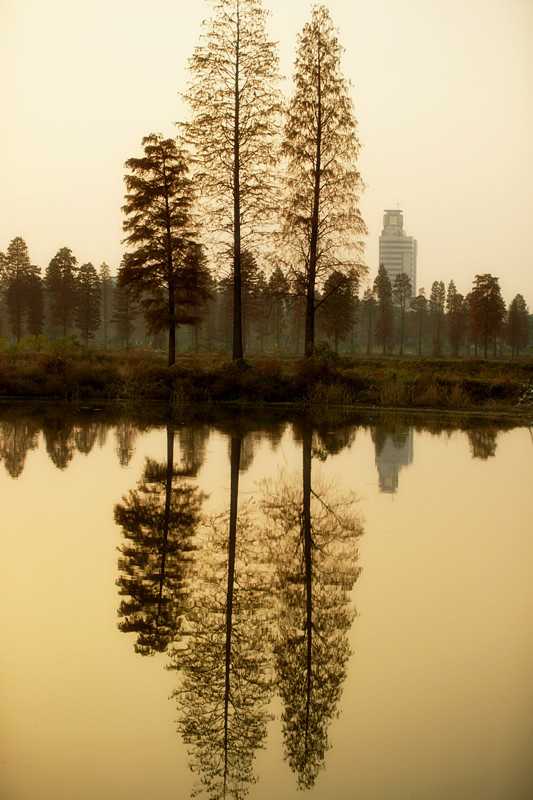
x=159 y=522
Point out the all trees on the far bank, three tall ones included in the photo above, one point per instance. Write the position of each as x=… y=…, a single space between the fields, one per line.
x=244 y=232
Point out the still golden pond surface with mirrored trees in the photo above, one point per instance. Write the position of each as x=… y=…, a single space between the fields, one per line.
x=265 y=610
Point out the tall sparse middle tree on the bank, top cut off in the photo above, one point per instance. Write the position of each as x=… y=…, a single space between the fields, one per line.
x=235 y=104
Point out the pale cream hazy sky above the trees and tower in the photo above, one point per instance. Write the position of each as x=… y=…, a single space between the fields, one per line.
x=443 y=92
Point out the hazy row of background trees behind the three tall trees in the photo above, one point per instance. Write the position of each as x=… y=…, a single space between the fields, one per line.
x=386 y=318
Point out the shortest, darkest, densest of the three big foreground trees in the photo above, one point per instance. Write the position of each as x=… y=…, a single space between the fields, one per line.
x=165 y=267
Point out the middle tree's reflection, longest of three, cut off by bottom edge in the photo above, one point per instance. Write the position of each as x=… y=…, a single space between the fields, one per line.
x=226 y=684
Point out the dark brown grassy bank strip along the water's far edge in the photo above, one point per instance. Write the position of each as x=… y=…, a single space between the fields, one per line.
x=62 y=372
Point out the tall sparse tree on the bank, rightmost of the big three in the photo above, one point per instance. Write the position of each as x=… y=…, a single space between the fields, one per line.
x=321 y=219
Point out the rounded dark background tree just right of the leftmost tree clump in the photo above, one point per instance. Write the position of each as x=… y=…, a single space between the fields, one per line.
x=61 y=288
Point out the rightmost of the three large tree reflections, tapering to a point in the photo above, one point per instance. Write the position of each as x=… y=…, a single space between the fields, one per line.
x=313 y=532
